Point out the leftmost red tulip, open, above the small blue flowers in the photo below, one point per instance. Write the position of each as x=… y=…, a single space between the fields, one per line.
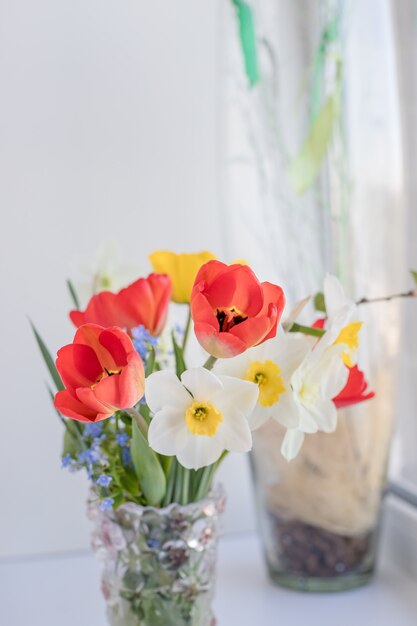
x=102 y=372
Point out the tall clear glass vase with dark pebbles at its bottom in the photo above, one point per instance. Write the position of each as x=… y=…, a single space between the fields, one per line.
x=315 y=182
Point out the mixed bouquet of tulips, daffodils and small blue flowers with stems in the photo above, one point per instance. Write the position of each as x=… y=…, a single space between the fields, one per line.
x=151 y=432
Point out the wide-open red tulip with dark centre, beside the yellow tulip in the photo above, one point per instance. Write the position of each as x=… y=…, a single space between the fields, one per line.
x=232 y=311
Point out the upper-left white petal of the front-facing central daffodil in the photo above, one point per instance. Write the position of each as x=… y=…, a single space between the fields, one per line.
x=164 y=389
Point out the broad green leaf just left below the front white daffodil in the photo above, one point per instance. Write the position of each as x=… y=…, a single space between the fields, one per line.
x=147 y=467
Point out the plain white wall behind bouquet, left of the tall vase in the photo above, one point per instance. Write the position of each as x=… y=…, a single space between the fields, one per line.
x=108 y=130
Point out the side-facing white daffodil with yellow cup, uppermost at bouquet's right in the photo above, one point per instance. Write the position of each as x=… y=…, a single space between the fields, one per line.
x=342 y=322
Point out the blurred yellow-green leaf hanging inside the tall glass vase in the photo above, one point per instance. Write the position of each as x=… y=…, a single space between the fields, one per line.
x=307 y=164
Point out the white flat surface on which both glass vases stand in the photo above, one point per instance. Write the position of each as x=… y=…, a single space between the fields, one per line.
x=64 y=591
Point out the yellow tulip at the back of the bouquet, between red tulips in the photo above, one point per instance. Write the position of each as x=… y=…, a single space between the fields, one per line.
x=182 y=270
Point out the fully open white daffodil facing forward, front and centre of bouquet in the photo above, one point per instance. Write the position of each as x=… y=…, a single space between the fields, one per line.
x=198 y=417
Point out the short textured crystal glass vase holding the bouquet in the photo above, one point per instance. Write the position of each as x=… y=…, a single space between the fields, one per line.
x=158 y=564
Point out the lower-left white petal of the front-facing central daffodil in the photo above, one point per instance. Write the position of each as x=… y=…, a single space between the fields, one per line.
x=167 y=432
